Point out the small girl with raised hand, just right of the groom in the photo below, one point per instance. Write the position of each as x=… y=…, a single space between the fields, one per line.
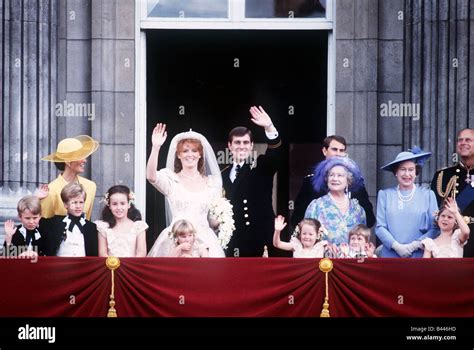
x=306 y=241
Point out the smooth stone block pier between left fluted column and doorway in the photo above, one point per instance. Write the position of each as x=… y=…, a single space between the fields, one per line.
x=97 y=69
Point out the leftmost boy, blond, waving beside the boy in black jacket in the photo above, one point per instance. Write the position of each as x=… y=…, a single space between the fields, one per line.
x=25 y=240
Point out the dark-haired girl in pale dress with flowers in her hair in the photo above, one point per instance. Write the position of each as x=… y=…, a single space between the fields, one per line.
x=121 y=230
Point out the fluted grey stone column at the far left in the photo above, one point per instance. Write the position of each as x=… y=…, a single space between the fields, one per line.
x=29 y=89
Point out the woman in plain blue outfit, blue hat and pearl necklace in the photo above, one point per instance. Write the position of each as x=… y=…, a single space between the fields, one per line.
x=405 y=212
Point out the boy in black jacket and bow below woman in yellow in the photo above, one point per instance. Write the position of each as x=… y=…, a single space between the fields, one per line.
x=71 y=235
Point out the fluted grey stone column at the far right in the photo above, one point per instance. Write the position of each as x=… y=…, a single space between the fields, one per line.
x=439 y=56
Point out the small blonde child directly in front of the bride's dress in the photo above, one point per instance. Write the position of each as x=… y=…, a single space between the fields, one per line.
x=184 y=236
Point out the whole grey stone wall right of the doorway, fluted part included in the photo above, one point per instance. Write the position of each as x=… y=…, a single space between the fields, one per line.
x=403 y=52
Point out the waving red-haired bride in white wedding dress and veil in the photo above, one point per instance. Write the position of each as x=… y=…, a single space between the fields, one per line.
x=190 y=182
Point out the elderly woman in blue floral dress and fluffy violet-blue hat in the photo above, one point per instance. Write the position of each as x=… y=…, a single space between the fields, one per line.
x=336 y=211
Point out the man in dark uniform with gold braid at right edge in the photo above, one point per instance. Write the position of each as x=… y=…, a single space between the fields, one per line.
x=457 y=181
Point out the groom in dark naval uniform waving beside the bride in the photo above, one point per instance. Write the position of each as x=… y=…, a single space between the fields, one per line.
x=248 y=184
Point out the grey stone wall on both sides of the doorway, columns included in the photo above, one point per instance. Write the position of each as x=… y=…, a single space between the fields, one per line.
x=82 y=52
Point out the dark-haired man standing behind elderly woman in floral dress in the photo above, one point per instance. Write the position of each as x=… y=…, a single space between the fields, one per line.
x=334 y=146
